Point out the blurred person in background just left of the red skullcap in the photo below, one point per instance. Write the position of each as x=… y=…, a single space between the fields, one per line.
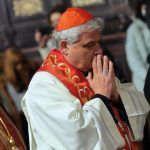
x=44 y=39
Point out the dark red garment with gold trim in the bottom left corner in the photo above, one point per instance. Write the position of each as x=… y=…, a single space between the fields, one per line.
x=10 y=137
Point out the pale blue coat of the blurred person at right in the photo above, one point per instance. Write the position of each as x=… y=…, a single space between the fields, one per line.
x=137 y=51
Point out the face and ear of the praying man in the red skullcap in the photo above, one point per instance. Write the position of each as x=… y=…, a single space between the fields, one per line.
x=81 y=53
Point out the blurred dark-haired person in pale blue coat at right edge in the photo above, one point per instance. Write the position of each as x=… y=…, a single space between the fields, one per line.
x=138 y=43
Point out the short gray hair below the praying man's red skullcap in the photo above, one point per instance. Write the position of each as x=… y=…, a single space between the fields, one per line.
x=72 y=35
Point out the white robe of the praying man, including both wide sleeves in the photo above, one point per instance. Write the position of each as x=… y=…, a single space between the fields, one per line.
x=57 y=121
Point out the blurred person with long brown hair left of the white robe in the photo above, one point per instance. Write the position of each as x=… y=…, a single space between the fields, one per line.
x=18 y=73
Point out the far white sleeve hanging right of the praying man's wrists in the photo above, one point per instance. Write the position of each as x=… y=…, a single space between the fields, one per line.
x=136 y=106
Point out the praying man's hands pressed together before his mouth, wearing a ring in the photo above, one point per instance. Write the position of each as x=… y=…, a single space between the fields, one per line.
x=102 y=79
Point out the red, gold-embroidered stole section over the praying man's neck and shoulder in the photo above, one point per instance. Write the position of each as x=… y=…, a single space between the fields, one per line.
x=72 y=78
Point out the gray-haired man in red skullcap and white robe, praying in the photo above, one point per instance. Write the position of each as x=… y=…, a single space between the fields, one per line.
x=67 y=110
